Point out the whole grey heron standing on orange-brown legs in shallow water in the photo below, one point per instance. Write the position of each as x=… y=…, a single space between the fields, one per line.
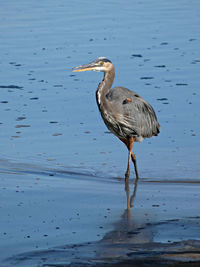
x=125 y=113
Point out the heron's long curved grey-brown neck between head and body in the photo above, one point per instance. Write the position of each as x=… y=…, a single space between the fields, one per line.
x=104 y=86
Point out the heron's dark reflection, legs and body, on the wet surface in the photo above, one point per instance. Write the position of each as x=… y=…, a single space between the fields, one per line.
x=128 y=231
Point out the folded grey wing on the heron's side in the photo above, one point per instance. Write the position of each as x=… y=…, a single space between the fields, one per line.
x=134 y=116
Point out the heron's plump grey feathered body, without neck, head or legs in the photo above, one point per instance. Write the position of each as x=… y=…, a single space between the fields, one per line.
x=133 y=116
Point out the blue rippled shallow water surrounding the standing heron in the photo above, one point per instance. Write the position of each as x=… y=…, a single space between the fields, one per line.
x=57 y=158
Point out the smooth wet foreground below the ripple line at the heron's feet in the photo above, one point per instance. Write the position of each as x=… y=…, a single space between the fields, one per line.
x=58 y=216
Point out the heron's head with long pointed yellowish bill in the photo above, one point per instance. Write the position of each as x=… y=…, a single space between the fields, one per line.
x=100 y=64
